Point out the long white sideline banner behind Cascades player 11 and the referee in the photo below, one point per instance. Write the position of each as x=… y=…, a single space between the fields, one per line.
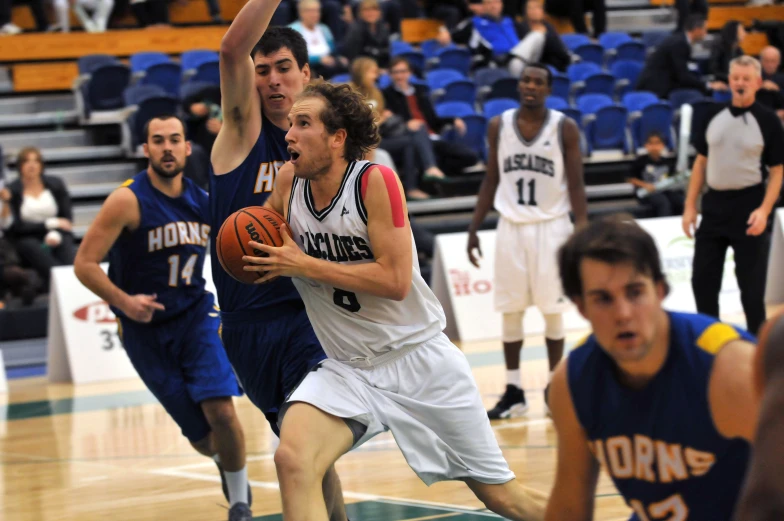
x=466 y=293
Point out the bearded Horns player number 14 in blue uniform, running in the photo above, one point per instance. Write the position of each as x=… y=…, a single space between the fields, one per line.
x=155 y=230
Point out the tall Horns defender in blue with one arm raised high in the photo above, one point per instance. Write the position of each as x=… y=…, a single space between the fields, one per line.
x=266 y=331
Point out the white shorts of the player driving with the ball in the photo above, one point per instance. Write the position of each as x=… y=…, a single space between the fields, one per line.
x=428 y=399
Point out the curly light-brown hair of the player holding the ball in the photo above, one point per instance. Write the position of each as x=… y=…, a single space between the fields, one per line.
x=347 y=109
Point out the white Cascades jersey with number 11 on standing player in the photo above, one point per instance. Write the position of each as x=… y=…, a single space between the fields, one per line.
x=532 y=182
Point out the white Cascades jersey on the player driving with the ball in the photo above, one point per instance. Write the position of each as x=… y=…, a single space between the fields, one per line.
x=356 y=325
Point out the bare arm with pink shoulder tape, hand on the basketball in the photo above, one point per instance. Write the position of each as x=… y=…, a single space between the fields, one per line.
x=389 y=231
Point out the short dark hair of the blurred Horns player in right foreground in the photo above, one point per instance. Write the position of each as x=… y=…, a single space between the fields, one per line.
x=614 y=240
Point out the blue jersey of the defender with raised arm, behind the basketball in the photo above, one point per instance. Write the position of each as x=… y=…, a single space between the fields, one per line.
x=250 y=184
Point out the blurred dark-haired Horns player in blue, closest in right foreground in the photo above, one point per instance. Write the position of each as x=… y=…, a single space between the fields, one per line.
x=662 y=400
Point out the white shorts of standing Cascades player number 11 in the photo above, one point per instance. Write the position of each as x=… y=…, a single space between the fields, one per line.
x=526 y=265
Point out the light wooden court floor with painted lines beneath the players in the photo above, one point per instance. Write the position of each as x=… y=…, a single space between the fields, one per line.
x=110 y=451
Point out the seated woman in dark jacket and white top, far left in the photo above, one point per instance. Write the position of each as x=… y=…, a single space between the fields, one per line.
x=42 y=216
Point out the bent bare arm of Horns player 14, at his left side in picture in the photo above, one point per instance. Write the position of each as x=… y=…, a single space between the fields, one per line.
x=120 y=211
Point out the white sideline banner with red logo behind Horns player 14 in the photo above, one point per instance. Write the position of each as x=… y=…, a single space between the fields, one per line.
x=83 y=344
